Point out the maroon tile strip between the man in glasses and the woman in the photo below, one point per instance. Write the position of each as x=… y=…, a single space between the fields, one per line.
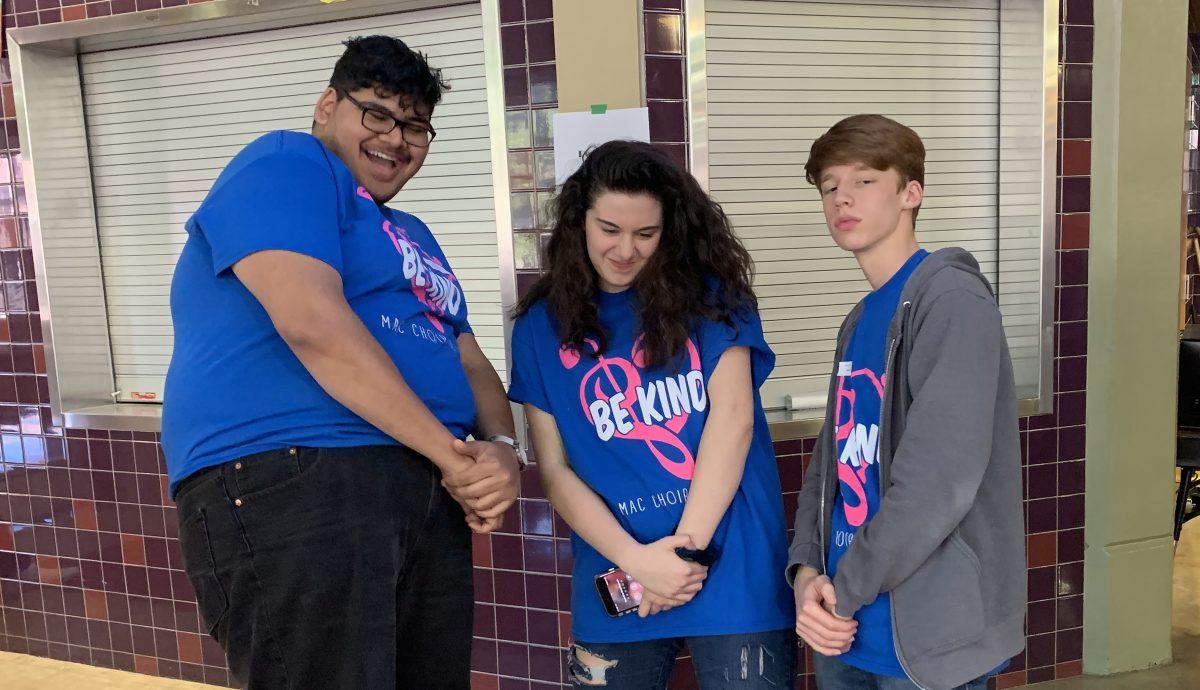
x=523 y=574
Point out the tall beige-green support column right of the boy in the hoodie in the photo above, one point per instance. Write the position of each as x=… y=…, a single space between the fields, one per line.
x=1138 y=82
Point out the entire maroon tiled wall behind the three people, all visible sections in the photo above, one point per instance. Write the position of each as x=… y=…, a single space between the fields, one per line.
x=89 y=562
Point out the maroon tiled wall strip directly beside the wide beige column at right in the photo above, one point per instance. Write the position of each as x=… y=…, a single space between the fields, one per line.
x=1054 y=443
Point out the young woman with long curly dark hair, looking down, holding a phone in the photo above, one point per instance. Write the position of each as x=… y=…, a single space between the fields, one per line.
x=639 y=357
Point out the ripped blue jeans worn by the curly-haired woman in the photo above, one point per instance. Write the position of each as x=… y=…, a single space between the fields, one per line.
x=751 y=662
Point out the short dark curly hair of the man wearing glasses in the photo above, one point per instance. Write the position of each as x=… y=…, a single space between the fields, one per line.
x=389 y=67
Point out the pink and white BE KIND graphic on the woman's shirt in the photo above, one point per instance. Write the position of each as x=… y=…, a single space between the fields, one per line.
x=621 y=405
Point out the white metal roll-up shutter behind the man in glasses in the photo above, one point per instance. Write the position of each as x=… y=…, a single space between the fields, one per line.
x=164 y=121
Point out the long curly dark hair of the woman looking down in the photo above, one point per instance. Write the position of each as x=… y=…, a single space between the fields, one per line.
x=700 y=271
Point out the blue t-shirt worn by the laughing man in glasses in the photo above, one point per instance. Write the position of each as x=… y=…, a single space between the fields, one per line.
x=235 y=388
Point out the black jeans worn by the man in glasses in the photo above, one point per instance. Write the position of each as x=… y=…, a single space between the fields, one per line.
x=332 y=568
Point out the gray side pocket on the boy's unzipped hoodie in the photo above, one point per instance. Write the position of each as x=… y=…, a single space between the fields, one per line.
x=941 y=607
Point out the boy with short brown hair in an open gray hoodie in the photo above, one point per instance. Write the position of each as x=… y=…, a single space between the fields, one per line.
x=909 y=556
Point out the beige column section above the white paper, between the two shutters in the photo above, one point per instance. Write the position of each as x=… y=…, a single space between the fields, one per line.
x=598 y=52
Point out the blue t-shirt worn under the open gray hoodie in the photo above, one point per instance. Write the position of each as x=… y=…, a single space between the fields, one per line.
x=861 y=380
